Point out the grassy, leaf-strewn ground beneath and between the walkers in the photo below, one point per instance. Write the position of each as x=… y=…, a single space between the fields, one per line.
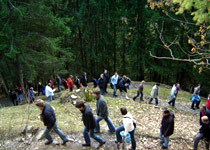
x=148 y=118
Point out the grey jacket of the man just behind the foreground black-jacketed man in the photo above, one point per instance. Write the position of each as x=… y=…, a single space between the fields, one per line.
x=101 y=107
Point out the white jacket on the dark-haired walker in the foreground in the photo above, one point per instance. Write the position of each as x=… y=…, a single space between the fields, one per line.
x=128 y=123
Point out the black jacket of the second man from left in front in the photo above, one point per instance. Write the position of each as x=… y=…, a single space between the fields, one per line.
x=88 y=118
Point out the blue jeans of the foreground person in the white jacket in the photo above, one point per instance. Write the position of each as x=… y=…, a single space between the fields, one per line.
x=119 y=137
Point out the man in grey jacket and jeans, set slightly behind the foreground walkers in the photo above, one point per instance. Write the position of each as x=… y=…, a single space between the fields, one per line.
x=102 y=112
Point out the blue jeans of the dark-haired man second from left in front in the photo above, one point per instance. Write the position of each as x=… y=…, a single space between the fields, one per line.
x=87 y=137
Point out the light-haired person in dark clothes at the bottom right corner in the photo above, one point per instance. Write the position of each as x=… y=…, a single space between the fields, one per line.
x=204 y=132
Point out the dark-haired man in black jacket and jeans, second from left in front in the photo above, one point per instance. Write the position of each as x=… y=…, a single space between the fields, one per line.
x=89 y=123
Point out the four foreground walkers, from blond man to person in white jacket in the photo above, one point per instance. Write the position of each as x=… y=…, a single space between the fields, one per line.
x=91 y=124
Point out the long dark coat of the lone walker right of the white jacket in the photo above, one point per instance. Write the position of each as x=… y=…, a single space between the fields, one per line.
x=167 y=125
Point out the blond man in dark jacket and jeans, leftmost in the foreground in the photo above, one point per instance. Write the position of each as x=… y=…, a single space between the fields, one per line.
x=49 y=119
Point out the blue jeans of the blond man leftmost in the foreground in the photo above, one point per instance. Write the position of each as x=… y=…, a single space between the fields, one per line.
x=58 y=131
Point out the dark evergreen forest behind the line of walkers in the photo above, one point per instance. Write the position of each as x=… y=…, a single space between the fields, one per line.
x=44 y=38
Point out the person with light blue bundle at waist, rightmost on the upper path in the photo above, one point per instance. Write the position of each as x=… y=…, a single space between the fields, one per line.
x=196 y=98
